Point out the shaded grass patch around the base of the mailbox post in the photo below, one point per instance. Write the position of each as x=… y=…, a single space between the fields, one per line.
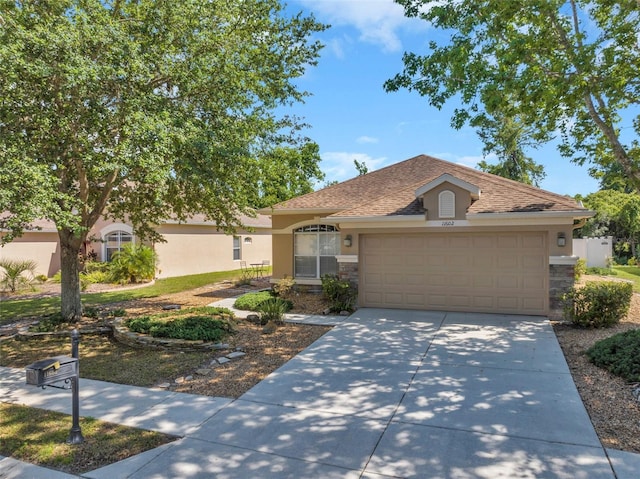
x=39 y=437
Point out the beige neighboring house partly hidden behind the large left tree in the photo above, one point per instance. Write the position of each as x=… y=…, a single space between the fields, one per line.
x=196 y=246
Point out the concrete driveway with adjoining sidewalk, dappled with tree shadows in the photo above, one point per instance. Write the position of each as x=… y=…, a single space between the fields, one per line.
x=385 y=394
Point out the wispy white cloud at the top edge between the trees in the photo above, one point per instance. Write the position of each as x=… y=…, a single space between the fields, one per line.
x=377 y=21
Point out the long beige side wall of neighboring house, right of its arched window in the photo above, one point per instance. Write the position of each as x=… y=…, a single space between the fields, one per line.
x=192 y=249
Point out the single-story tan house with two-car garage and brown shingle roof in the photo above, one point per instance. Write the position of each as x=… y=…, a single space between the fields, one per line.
x=429 y=234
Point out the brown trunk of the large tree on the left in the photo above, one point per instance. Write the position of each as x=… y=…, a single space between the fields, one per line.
x=71 y=304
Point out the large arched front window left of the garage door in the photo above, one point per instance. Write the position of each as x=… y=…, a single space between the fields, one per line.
x=315 y=249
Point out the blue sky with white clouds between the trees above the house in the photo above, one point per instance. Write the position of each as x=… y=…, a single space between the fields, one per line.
x=352 y=117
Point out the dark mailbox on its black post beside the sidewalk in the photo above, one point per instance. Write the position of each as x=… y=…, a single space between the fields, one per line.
x=48 y=371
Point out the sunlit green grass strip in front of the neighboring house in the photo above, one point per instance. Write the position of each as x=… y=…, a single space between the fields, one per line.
x=12 y=310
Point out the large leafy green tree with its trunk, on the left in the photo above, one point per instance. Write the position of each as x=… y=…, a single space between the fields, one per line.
x=142 y=110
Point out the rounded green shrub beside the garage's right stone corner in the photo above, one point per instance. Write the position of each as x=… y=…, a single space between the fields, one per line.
x=598 y=304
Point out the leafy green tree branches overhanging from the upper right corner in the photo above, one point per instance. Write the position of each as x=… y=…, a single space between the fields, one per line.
x=568 y=67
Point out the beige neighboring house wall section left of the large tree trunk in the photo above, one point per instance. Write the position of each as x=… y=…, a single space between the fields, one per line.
x=42 y=247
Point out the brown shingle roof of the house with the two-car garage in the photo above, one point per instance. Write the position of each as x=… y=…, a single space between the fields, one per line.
x=391 y=191
